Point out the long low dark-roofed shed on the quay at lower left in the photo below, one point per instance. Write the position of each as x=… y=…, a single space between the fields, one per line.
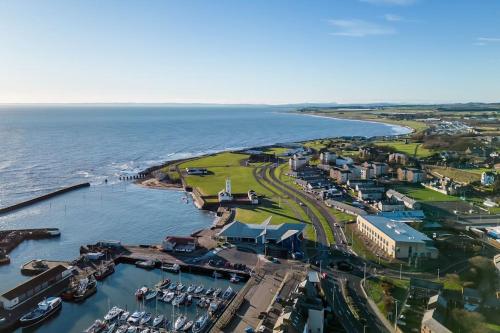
x=36 y=288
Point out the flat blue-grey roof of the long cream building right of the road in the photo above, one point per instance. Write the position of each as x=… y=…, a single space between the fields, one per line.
x=397 y=231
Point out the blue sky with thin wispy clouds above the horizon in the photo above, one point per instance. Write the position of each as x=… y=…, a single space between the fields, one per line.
x=253 y=51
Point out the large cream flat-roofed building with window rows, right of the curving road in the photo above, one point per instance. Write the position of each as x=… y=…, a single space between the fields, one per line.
x=396 y=239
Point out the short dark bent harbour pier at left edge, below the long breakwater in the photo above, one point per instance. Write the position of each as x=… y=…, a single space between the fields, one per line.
x=10 y=239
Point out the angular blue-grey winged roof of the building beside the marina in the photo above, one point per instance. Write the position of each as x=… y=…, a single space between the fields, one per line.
x=278 y=232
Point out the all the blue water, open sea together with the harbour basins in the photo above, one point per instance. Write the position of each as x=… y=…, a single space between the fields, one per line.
x=43 y=148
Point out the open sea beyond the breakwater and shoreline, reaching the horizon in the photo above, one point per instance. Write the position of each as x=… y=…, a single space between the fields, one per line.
x=45 y=147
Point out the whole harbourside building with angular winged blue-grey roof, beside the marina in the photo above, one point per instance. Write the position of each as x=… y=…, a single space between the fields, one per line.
x=288 y=235
